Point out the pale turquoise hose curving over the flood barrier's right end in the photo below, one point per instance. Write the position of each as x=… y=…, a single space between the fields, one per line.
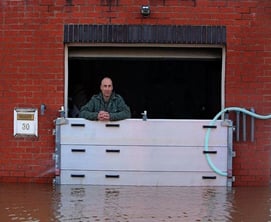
x=206 y=144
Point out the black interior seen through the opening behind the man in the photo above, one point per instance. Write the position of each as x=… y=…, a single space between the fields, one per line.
x=168 y=88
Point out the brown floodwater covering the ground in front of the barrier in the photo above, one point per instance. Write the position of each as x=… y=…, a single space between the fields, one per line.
x=73 y=203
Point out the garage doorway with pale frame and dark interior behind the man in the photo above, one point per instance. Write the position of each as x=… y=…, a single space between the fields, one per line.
x=169 y=81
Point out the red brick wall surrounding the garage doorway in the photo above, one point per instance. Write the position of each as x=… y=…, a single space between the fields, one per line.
x=32 y=70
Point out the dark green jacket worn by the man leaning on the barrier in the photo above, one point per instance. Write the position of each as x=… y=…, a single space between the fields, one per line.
x=116 y=107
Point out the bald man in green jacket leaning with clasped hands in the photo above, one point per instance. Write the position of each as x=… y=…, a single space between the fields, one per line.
x=106 y=106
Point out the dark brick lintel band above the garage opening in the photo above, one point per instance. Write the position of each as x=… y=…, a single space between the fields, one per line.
x=162 y=34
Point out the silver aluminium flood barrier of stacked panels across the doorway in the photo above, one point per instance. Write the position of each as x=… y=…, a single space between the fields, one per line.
x=155 y=152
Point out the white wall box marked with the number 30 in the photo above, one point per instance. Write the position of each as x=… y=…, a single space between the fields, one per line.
x=25 y=122
